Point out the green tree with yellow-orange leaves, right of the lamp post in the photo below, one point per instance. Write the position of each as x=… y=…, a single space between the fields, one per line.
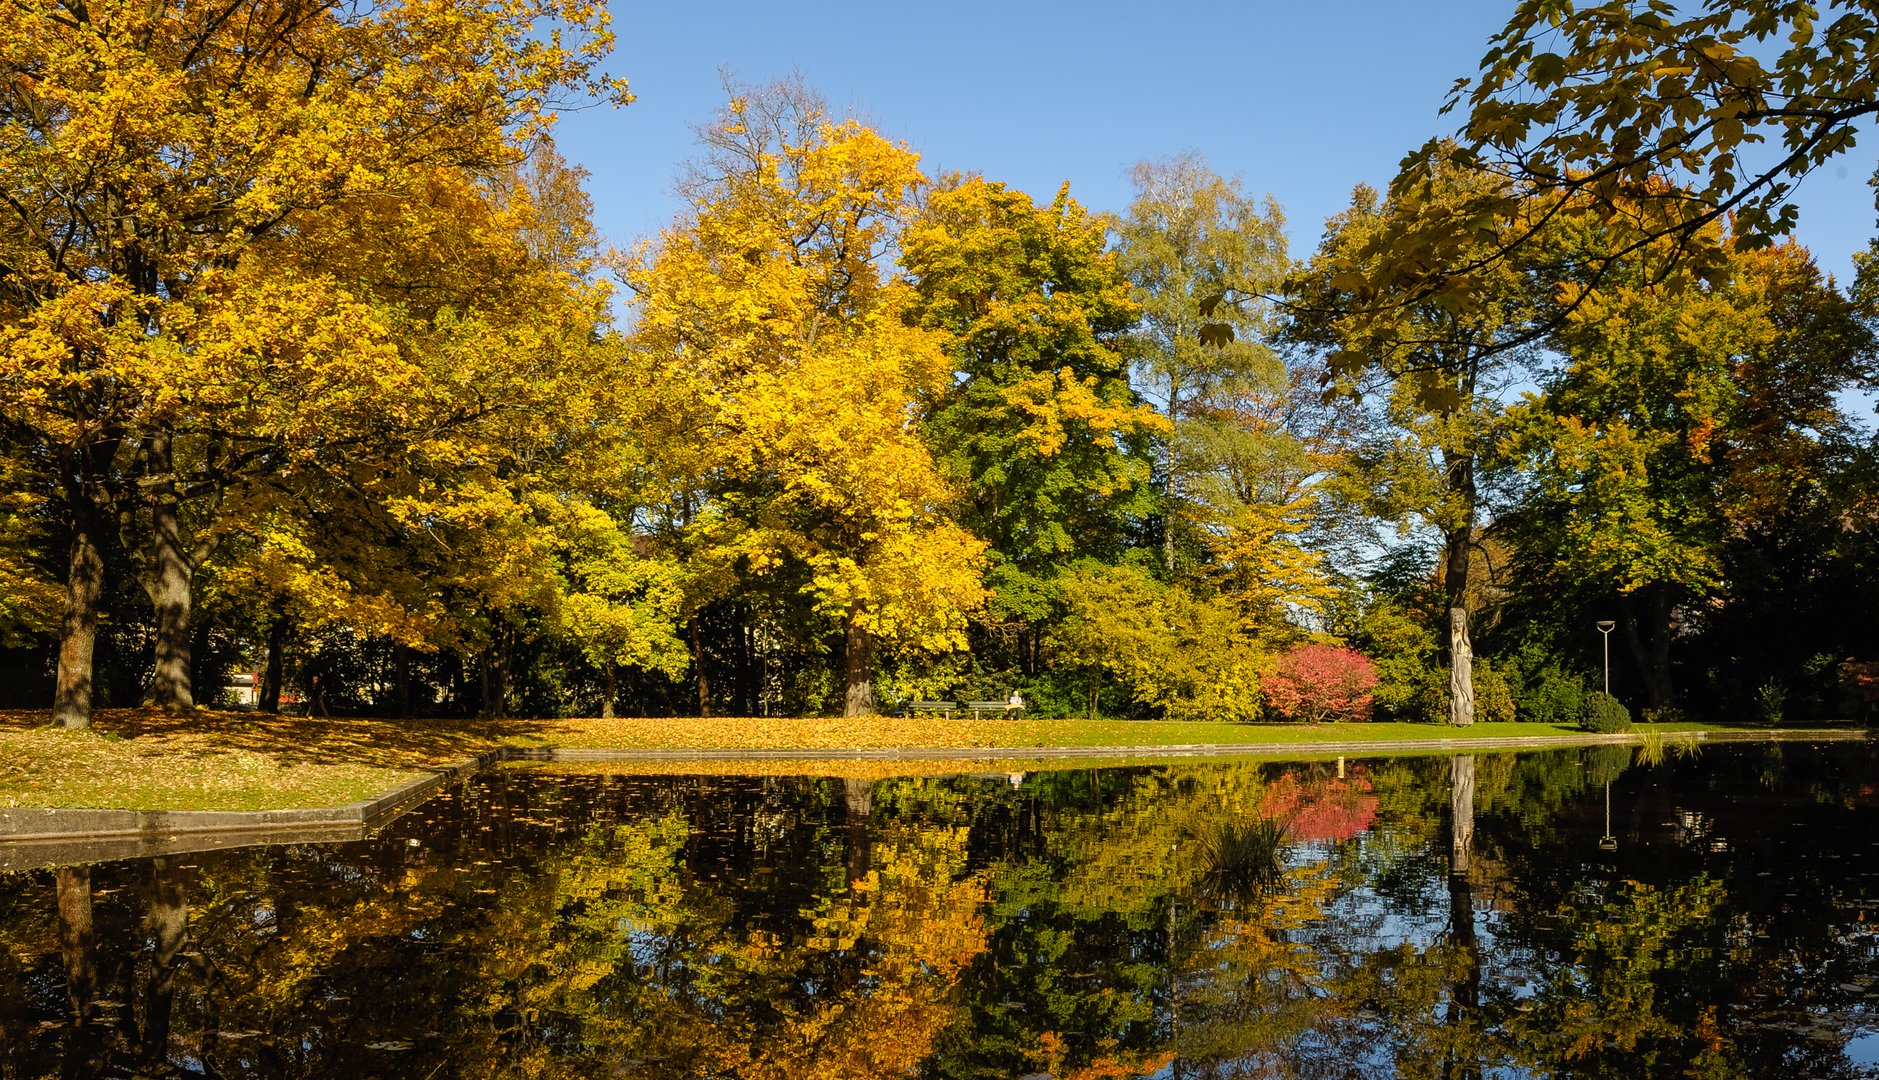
x=1683 y=418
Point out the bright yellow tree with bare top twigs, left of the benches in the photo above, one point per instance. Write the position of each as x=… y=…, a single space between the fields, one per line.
x=771 y=330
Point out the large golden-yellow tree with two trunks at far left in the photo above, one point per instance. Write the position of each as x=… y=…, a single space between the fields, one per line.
x=153 y=348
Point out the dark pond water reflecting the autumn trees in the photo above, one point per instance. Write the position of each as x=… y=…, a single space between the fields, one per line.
x=1431 y=918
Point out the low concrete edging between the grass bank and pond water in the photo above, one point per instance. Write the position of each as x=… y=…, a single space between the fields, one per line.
x=55 y=837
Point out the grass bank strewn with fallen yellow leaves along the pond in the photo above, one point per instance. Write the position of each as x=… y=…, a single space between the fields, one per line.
x=148 y=760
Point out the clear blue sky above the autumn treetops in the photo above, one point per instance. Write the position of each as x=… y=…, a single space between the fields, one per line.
x=1301 y=100
